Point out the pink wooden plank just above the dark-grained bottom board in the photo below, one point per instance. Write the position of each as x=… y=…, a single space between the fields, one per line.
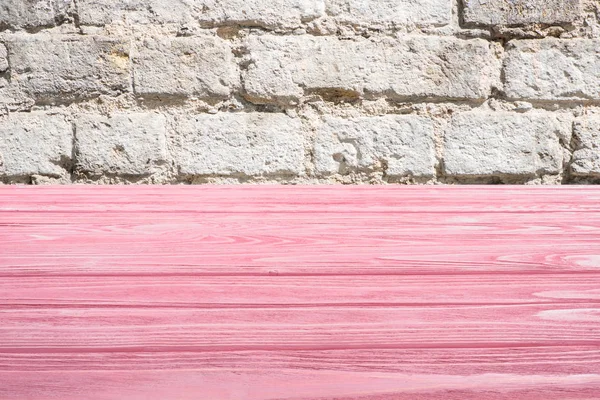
x=293 y=328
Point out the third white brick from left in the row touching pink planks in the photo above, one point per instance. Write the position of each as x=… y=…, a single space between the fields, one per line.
x=239 y=143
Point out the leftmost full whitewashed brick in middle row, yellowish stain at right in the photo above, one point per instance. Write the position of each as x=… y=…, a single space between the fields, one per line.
x=61 y=68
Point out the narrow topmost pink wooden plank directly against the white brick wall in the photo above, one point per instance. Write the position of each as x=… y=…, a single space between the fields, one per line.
x=230 y=200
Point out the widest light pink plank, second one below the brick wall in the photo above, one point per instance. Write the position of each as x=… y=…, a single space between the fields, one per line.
x=269 y=243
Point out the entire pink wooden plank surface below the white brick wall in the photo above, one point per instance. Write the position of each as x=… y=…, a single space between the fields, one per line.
x=212 y=293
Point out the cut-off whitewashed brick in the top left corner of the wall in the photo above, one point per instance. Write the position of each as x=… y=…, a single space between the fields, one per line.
x=32 y=14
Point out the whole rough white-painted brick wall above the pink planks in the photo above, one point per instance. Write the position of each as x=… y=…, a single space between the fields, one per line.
x=300 y=91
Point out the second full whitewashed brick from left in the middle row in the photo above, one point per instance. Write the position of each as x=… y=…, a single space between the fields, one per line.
x=193 y=67
